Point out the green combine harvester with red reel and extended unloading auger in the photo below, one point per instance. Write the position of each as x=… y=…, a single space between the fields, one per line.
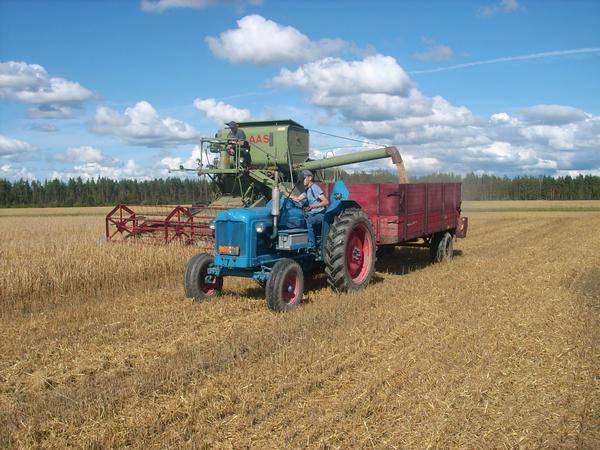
x=243 y=174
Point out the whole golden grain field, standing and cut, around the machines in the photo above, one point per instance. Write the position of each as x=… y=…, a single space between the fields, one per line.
x=498 y=348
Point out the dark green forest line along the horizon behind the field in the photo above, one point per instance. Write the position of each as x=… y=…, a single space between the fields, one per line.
x=106 y=191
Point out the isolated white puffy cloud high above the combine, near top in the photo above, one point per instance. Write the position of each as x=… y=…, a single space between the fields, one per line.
x=262 y=42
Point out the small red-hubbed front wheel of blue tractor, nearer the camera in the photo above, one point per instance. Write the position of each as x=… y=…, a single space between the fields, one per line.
x=285 y=286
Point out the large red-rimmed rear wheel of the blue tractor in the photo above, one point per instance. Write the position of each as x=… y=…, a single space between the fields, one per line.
x=350 y=251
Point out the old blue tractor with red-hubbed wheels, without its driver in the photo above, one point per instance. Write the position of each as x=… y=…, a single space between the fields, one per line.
x=270 y=245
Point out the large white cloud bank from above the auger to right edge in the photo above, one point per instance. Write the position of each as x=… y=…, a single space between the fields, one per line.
x=378 y=101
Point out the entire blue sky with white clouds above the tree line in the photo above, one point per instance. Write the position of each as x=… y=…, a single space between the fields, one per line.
x=126 y=88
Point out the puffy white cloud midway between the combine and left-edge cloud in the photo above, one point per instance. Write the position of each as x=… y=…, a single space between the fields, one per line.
x=142 y=125
